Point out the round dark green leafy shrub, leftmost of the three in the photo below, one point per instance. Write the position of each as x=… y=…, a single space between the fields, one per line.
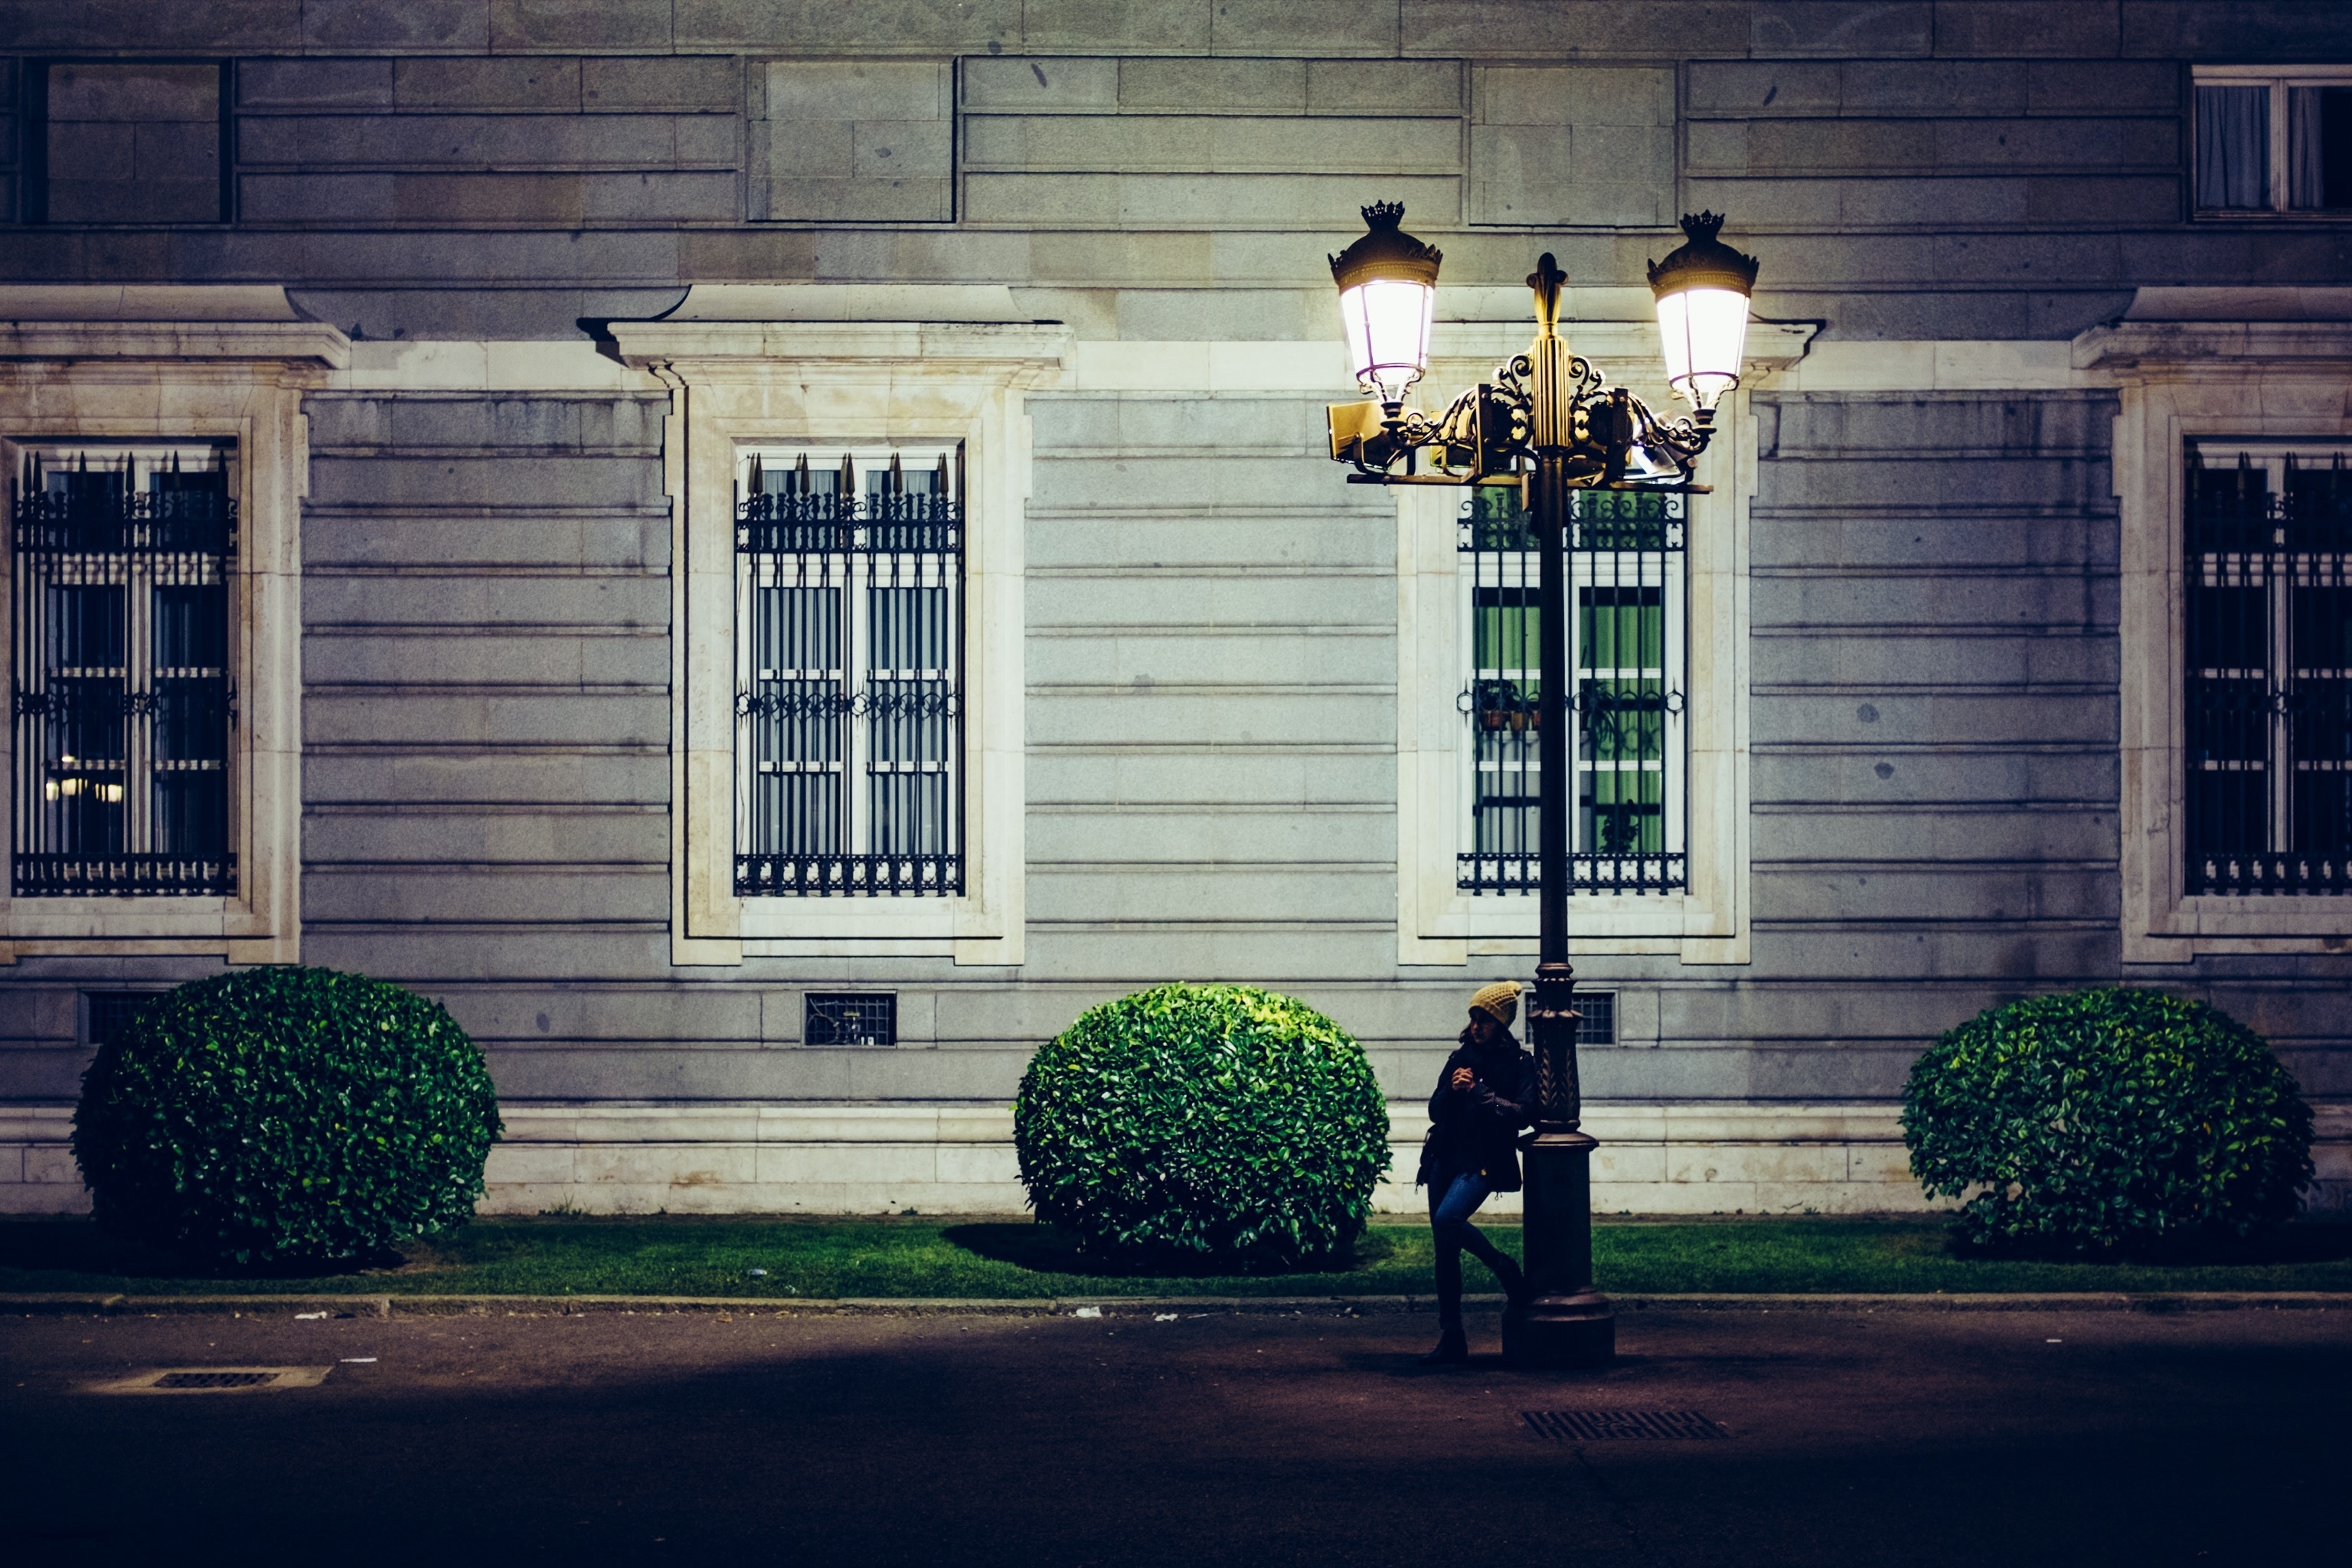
x=286 y=1115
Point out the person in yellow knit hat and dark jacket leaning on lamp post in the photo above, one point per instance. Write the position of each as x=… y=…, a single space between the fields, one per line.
x=1485 y=1097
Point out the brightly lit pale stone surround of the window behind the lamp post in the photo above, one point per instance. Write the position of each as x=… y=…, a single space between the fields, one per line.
x=1709 y=923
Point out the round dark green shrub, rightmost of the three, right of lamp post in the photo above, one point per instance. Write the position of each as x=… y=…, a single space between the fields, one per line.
x=2106 y=1120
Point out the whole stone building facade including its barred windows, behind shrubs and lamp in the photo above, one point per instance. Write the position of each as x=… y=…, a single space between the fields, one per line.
x=502 y=321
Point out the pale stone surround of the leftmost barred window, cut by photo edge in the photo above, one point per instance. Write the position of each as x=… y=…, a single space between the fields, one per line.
x=189 y=363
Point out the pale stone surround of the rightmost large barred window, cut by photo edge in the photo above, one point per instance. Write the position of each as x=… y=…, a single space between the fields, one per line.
x=2184 y=380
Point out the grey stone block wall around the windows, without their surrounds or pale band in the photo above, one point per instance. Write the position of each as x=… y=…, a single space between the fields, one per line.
x=1210 y=638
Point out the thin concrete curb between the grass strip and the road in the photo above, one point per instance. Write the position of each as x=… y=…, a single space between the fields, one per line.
x=67 y=1304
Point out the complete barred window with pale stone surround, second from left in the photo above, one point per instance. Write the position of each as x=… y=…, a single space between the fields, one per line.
x=848 y=730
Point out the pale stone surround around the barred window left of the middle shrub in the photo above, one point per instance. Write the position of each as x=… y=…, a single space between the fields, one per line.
x=810 y=366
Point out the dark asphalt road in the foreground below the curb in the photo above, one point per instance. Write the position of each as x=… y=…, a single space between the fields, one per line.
x=1916 y=1440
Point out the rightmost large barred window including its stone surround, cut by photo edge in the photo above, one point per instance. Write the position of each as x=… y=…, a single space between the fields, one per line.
x=2233 y=629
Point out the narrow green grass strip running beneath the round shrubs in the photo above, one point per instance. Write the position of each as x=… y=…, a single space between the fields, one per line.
x=1015 y=1259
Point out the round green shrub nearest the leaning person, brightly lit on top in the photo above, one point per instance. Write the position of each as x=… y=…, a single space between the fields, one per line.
x=1203 y=1125
